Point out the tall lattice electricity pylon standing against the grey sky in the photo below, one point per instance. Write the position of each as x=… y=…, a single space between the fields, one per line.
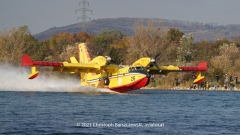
x=84 y=16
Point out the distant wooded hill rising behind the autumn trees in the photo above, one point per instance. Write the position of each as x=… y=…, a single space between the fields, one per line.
x=201 y=31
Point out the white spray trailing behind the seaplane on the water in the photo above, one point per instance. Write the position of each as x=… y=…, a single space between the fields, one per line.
x=16 y=79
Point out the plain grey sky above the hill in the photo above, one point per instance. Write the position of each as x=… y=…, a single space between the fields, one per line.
x=40 y=15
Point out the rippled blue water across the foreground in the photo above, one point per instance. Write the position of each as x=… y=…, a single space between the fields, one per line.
x=168 y=112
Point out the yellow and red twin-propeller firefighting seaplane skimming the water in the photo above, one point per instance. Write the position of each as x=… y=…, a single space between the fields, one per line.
x=101 y=73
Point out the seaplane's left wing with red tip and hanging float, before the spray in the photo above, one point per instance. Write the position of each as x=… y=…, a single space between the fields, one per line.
x=59 y=66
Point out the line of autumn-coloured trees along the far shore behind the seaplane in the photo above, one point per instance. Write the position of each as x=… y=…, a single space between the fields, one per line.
x=174 y=47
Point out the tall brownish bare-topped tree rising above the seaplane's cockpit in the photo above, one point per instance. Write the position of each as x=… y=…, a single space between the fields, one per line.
x=148 y=38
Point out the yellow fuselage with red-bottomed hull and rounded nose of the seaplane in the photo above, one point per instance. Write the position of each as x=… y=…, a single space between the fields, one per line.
x=126 y=79
